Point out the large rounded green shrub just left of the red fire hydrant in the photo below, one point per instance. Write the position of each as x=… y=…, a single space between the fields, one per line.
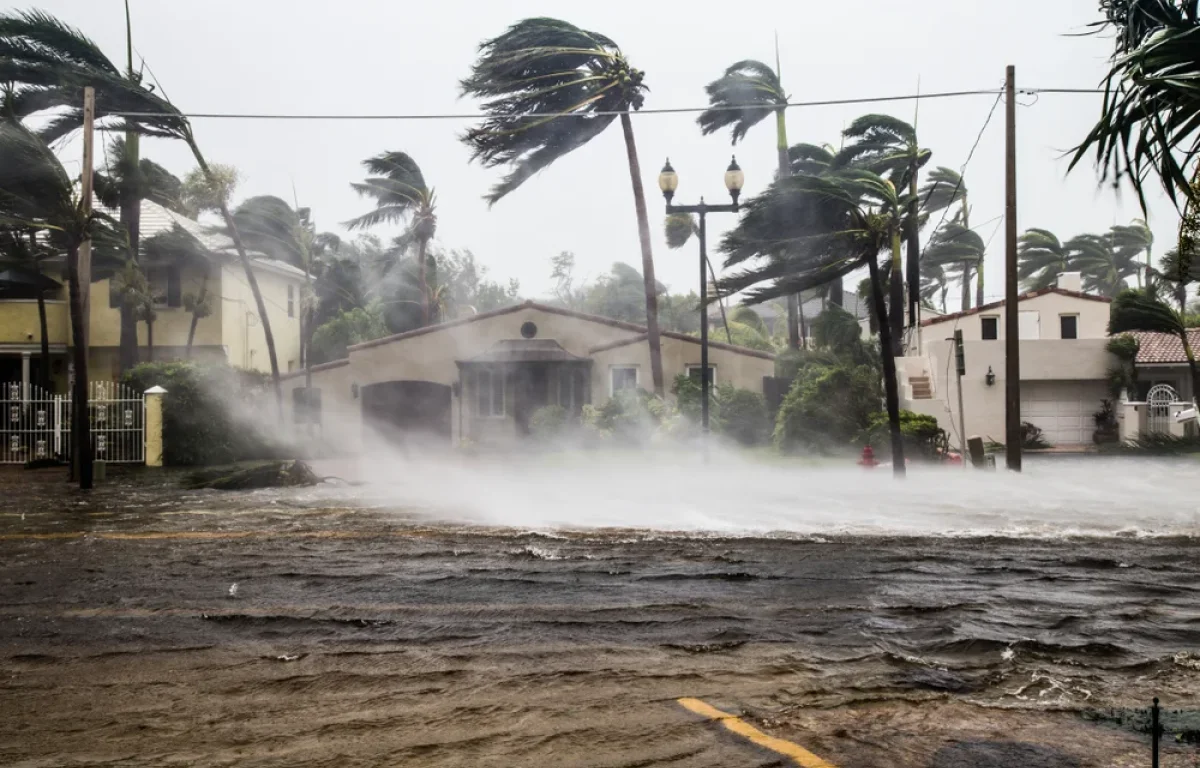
x=827 y=407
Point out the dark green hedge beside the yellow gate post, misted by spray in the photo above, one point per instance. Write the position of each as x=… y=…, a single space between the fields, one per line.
x=202 y=424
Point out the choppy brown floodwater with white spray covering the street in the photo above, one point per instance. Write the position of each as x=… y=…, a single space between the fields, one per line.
x=549 y=611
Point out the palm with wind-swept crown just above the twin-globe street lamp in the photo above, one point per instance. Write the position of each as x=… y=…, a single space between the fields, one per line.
x=742 y=98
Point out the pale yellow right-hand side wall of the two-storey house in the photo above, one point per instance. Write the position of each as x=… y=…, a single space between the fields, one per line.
x=241 y=327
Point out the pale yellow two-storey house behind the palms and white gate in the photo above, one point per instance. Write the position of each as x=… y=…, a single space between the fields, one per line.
x=232 y=333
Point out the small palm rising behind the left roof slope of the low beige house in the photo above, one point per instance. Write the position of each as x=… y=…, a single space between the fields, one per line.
x=401 y=195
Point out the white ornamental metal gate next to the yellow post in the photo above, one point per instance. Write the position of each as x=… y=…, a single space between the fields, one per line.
x=35 y=424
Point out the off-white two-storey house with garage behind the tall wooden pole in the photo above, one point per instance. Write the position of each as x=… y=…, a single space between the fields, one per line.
x=1064 y=334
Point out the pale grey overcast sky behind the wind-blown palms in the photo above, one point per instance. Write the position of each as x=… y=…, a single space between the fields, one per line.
x=357 y=57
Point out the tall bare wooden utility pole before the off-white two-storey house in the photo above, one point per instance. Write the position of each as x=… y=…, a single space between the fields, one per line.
x=1012 y=326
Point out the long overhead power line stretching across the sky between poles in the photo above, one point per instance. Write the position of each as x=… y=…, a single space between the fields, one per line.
x=668 y=111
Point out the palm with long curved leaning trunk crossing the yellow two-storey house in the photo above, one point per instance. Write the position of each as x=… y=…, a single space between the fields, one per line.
x=51 y=63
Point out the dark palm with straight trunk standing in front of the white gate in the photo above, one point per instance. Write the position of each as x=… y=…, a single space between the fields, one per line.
x=38 y=194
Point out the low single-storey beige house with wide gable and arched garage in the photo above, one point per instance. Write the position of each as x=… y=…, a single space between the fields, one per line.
x=482 y=379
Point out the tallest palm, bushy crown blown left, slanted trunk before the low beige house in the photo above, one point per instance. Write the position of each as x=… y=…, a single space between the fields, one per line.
x=583 y=81
